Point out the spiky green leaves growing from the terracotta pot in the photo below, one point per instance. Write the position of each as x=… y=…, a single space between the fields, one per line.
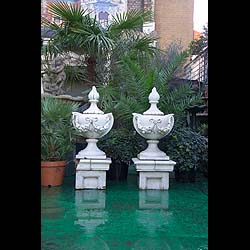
x=56 y=129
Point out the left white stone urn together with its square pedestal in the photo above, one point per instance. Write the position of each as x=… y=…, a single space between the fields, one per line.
x=92 y=162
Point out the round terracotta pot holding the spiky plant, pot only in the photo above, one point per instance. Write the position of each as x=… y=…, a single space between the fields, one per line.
x=52 y=173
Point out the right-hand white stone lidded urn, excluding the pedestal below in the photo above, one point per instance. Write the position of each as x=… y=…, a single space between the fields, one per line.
x=153 y=125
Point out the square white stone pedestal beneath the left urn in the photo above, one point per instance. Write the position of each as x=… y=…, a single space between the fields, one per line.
x=91 y=173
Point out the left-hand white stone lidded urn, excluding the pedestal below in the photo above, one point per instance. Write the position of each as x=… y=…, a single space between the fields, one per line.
x=92 y=125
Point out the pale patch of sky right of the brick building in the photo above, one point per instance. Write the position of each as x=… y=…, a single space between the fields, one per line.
x=200 y=14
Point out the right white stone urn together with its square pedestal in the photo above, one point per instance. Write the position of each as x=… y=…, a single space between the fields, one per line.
x=153 y=164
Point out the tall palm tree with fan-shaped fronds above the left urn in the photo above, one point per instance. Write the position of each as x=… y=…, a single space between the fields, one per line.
x=83 y=35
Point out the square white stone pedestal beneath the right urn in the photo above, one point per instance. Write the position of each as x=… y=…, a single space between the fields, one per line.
x=154 y=174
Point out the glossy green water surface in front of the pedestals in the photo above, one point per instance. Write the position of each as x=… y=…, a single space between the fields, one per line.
x=123 y=217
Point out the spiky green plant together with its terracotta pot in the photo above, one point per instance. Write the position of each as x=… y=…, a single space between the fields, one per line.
x=56 y=138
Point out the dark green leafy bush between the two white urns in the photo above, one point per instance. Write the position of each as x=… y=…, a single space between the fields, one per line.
x=121 y=145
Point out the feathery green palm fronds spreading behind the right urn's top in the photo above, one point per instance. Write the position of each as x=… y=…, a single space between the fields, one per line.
x=128 y=92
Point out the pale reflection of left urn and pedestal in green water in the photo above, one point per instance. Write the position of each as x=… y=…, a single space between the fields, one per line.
x=90 y=205
